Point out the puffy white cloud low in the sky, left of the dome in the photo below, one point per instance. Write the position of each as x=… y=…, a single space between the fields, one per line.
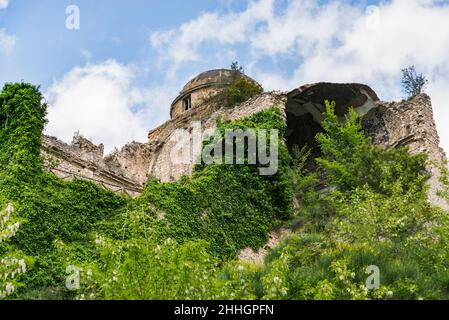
x=103 y=103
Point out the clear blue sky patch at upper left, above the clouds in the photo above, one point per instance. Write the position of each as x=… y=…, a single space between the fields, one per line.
x=116 y=29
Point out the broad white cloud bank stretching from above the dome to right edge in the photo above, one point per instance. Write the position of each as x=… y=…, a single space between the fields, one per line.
x=328 y=41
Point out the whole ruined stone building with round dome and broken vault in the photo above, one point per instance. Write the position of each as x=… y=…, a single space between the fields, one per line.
x=390 y=124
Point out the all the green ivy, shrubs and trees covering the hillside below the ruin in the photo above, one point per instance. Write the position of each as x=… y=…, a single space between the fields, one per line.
x=180 y=240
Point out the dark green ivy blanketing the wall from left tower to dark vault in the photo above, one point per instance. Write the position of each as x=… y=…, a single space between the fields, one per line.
x=229 y=206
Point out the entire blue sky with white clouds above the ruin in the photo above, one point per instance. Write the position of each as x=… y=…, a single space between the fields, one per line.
x=113 y=78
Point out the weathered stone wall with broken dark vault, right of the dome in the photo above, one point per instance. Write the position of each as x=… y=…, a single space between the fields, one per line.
x=390 y=124
